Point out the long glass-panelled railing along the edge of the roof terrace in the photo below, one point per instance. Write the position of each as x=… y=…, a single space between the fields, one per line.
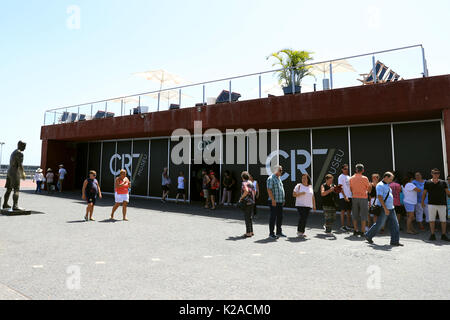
x=254 y=88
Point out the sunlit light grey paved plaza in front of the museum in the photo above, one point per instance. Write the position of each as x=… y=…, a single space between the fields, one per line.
x=185 y=252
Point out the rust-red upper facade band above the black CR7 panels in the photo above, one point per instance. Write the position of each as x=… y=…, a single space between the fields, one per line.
x=416 y=99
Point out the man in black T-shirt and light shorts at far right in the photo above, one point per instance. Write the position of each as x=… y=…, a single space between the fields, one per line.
x=437 y=191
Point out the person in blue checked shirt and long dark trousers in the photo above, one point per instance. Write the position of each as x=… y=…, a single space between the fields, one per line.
x=277 y=200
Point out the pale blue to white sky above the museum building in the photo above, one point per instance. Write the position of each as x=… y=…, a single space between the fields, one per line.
x=45 y=64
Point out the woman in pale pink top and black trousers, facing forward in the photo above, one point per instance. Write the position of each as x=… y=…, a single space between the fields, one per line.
x=304 y=202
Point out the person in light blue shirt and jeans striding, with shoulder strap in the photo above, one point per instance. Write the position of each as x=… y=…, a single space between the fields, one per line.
x=385 y=200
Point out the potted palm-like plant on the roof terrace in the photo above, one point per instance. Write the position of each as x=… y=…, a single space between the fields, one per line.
x=293 y=68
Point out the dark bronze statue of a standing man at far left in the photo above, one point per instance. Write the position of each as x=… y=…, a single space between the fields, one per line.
x=15 y=173
